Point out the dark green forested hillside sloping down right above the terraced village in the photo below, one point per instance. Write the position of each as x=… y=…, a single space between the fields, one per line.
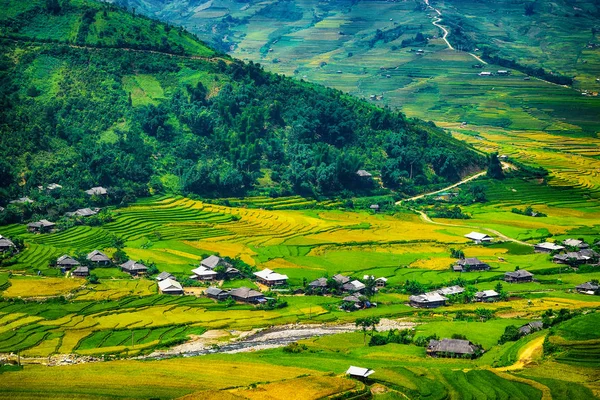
x=93 y=95
